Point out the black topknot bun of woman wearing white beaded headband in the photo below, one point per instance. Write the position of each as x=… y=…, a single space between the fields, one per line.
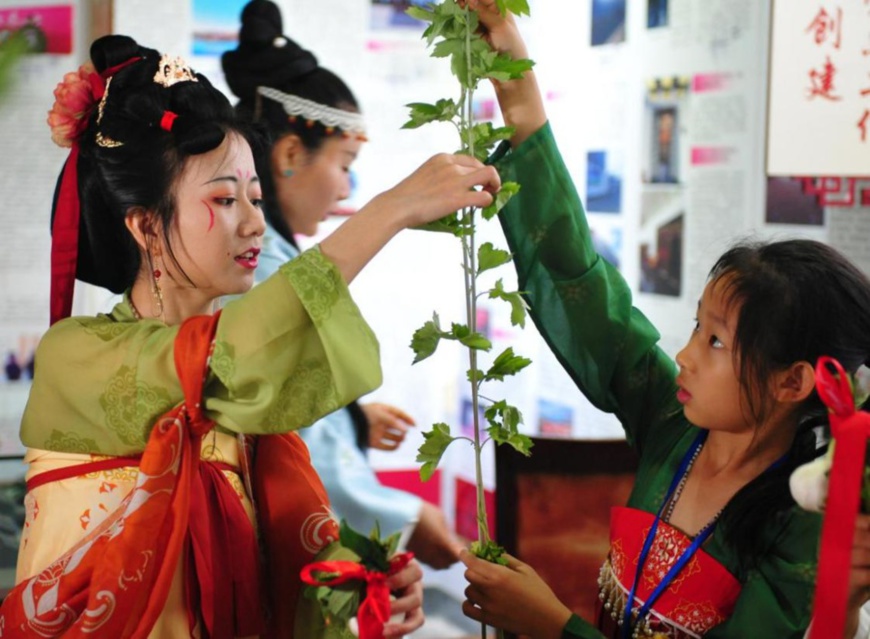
x=264 y=56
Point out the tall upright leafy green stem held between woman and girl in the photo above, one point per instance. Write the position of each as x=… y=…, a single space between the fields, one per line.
x=454 y=33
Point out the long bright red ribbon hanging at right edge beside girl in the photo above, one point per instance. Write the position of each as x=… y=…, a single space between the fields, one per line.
x=850 y=430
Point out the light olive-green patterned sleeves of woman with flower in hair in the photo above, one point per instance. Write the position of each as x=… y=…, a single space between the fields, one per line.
x=289 y=351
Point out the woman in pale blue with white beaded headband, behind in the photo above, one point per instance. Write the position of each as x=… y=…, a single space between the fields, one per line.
x=316 y=131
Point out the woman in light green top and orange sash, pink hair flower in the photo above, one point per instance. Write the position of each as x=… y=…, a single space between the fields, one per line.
x=142 y=424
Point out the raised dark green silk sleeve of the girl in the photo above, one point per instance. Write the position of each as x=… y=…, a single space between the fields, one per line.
x=579 y=302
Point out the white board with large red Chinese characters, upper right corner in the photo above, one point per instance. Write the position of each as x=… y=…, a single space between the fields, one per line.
x=819 y=109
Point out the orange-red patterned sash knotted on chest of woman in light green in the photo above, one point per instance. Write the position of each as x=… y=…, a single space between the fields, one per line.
x=115 y=581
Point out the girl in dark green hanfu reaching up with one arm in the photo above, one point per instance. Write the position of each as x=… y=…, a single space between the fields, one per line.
x=710 y=544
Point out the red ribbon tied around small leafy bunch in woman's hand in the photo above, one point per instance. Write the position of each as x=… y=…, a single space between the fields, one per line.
x=374 y=610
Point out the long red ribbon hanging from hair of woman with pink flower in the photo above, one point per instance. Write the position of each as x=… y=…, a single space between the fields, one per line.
x=65 y=229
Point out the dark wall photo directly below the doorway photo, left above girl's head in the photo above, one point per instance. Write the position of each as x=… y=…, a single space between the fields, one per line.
x=661 y=259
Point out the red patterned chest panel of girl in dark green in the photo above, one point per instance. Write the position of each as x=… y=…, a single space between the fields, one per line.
x=701 y=596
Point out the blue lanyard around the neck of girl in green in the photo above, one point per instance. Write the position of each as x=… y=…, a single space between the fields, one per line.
x=687 y=554
